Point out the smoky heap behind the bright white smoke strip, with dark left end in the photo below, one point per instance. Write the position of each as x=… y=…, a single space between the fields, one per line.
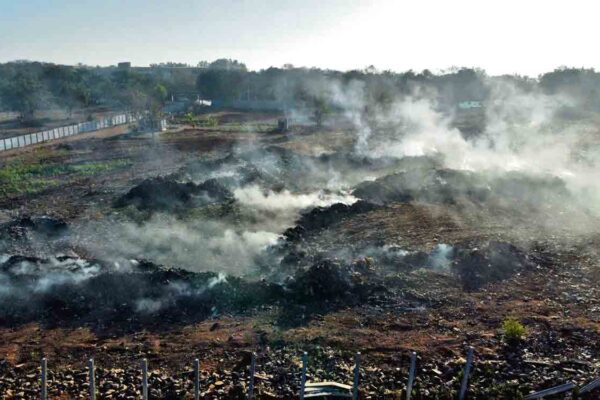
x=273 y=168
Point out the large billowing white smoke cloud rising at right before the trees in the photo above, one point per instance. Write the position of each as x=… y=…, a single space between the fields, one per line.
x=525 y=131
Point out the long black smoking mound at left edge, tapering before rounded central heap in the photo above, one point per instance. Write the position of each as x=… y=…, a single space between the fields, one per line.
x=72 y=290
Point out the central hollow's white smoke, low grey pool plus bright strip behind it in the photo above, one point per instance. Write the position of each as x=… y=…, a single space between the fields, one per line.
x=201 y=244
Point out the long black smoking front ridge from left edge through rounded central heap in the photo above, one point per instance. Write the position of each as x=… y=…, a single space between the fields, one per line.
x=67 y=290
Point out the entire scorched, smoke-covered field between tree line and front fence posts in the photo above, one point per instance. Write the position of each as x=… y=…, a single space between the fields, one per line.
x=380 y=233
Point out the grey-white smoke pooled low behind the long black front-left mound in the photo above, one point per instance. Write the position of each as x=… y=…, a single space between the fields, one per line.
x=197 y=245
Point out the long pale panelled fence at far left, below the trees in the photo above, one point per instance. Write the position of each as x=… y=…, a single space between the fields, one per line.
x=64 y=131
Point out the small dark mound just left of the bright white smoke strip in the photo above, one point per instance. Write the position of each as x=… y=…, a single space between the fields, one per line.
x=166 y=194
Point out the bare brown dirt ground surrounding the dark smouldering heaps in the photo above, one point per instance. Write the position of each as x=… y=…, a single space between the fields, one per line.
x=426 y=311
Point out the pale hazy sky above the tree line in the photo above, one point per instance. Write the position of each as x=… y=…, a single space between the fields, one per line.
x=525 y=36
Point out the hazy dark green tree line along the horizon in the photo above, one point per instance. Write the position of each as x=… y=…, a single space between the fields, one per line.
x=29 y=86
